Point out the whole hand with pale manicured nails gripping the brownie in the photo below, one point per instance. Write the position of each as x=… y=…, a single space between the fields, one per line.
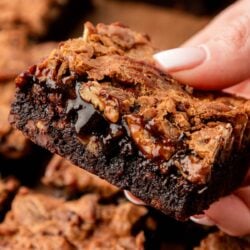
x=218 y=57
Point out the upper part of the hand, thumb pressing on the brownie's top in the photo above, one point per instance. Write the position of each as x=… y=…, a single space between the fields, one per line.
x=218 y=56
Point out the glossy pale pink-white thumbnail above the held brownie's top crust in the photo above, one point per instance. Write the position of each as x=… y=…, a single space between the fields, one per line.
x=181 y=58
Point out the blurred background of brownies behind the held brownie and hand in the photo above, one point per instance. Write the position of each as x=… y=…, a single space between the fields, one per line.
x=29 y=30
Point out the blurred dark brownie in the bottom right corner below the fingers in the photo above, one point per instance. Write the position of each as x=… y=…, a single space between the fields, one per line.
x=219 y=241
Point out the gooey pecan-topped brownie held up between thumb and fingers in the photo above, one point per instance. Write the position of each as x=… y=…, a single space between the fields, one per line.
x=100 y=102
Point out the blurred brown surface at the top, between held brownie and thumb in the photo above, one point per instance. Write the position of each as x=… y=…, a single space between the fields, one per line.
x=168 y=22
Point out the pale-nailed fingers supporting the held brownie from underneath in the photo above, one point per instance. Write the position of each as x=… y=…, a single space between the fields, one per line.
x=231 y=213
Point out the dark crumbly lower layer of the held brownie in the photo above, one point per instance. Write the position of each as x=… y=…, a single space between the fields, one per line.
x=171 y=193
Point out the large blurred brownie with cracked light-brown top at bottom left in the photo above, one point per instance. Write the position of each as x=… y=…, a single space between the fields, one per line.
x=38 y=221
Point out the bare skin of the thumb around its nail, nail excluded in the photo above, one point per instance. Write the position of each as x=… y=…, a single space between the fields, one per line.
x=227 y=41
